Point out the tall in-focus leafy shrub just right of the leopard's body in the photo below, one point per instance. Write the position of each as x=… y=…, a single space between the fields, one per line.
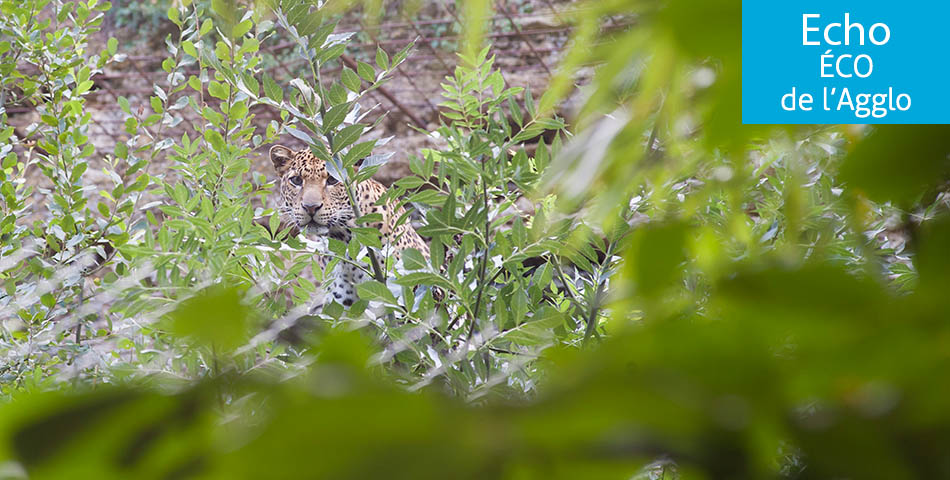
x=495 y=253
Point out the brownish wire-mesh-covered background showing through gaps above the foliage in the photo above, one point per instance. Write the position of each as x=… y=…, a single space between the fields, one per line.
x=527 y=38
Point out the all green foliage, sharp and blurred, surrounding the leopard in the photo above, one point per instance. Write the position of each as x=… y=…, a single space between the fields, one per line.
x=653 y=291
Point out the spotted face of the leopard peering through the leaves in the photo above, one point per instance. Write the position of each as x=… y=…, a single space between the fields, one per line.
x=310 y=197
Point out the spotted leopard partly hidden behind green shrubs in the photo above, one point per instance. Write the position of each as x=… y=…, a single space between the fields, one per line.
x=317 y=204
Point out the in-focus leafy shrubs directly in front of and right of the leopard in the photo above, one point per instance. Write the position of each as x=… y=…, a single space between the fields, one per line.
x=492 y=320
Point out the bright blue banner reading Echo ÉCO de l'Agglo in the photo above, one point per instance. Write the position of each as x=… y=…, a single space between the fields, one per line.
x=836 y=61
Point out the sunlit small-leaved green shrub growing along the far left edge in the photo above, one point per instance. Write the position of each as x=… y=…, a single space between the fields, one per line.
x=46 y=62
